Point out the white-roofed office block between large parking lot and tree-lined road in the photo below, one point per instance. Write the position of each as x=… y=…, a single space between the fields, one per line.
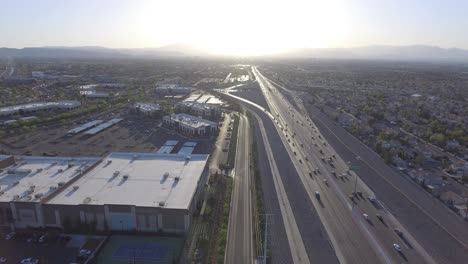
x=190 y=125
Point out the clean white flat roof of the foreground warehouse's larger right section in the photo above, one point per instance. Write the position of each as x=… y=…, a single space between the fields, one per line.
x=140 y=179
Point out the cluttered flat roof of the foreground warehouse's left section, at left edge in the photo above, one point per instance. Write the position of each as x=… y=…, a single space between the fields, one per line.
x=33 y=178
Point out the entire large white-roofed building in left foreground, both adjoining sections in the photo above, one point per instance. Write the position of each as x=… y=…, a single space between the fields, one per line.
x=141 y=192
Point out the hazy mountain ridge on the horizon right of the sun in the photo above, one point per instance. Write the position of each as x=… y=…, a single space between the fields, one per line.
x=405 y=53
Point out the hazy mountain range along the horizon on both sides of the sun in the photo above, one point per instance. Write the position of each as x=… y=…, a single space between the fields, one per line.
x=405 y=53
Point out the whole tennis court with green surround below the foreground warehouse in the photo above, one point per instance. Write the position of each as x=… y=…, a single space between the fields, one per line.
x=141 y=249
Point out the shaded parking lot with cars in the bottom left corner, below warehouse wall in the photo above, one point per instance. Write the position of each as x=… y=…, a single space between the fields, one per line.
x=47 y=247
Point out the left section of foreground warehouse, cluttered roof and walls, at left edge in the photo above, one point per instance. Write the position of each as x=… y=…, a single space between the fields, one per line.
x=27 y=182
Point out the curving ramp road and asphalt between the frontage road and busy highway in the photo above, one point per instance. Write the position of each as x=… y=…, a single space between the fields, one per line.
x=294 y=219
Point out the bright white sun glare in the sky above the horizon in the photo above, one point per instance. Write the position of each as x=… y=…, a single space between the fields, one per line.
x=243 y=28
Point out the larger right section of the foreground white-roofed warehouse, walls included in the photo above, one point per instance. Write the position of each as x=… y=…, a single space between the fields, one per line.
x=143 y=192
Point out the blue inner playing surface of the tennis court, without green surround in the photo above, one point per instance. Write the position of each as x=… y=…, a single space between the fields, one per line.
x=142 y=251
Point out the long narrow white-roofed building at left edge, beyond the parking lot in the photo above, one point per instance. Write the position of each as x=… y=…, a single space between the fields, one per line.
x=34 y=107
